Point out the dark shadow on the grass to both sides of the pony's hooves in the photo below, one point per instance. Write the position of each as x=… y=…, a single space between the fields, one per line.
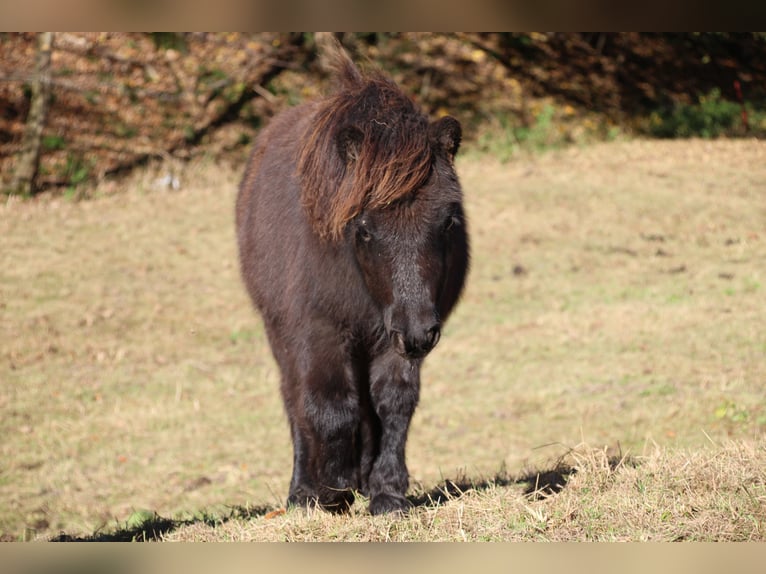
x=536 y=485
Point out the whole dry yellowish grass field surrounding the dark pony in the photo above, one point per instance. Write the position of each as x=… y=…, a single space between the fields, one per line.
x=613 y=324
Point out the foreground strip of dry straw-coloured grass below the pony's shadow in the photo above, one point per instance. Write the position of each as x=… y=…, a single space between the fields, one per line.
x=713 y=494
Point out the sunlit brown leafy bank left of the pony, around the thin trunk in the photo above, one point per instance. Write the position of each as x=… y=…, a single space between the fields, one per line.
x=124 y=98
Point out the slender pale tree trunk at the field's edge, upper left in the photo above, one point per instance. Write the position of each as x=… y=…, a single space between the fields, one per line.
x=27 y=160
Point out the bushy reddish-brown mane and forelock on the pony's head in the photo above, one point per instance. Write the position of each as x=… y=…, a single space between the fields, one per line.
x=366 y=146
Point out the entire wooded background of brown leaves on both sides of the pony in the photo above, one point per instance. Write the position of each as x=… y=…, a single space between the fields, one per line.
x=125 y=98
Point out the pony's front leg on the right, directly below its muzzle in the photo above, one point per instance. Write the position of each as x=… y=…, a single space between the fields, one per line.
x=394 y=390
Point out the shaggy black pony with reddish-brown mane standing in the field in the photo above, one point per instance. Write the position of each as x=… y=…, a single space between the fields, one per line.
x=354 y=248
